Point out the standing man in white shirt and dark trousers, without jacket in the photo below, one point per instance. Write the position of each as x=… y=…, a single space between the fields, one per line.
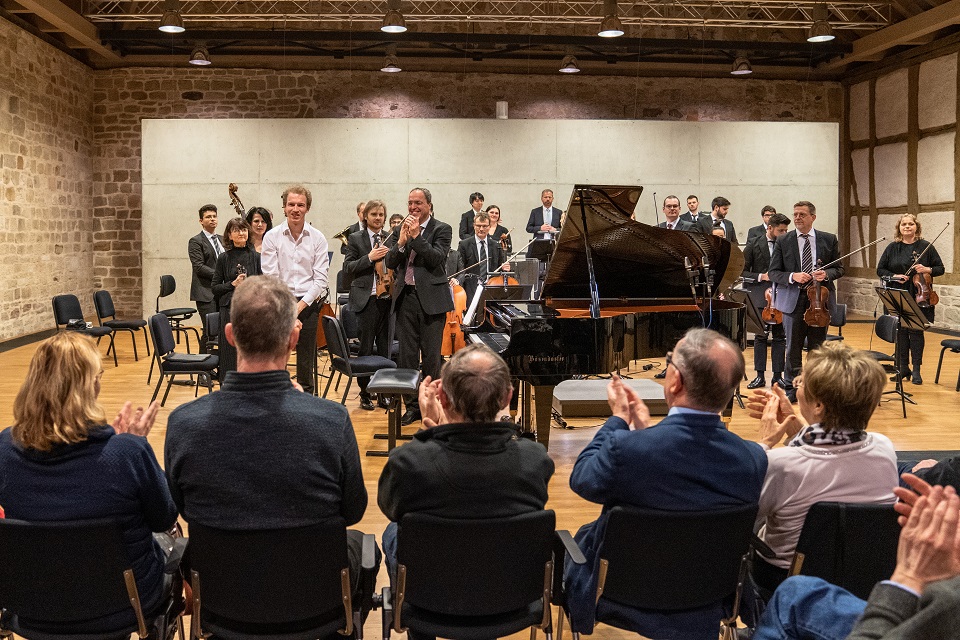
x=296 y=252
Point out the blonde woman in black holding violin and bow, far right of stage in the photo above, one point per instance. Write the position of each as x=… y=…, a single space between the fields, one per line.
x=895 y=267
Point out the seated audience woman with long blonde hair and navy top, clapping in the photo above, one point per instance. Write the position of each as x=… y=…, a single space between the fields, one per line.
x=62 y=461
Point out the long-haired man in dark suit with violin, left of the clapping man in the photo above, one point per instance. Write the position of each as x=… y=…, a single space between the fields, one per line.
x=366 y=250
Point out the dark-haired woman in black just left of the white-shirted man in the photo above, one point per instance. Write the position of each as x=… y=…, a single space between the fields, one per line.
x=235 y=264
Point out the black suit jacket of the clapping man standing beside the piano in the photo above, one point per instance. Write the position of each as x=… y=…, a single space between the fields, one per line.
x=429 y=265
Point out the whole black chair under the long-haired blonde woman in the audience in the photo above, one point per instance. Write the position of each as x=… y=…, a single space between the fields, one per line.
x=63 y=580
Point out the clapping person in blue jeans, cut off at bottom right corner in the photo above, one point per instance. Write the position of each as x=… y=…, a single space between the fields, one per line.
x=921 y=601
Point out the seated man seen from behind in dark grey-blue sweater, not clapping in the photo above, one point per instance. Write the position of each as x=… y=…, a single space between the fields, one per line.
x=260 y=453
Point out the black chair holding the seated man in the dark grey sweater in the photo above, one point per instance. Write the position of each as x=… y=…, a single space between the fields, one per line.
x=282 y=584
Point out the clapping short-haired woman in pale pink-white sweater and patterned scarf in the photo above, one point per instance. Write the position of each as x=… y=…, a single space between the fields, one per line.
x=829 y=454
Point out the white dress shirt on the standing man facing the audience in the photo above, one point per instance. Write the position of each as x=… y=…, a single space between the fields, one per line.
x=302 y=263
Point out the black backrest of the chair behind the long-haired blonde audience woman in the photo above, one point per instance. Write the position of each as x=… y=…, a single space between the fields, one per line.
x=62 y=572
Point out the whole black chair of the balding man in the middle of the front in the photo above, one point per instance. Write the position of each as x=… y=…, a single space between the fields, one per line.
x=474 y=579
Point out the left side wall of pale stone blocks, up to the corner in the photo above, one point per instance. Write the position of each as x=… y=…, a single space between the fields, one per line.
x=46 y=143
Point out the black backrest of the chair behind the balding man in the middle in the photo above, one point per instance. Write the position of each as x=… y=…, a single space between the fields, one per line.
x=475 y=567
